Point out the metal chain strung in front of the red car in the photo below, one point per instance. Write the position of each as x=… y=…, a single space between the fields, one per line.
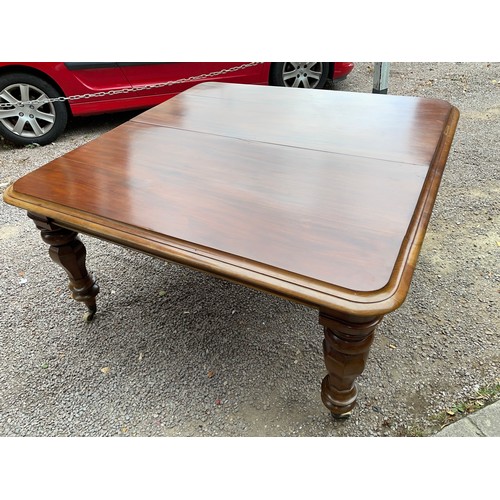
x=127 y=90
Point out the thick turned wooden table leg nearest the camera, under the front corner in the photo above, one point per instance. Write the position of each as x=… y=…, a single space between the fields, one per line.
x=346 y=346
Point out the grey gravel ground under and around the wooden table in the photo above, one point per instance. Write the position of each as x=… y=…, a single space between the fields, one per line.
x=175 y=352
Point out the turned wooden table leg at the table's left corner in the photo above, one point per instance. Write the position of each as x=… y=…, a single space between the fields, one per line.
x=68 y=251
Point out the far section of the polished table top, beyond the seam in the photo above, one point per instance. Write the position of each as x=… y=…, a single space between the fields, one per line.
x=397 y=128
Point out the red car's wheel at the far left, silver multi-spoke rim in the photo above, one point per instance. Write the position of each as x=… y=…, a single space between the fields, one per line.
x=30 y=124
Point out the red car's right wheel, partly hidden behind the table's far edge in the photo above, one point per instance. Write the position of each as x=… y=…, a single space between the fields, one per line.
x=299 y=74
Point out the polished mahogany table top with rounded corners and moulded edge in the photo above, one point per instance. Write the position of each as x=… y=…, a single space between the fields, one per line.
x=322 y=197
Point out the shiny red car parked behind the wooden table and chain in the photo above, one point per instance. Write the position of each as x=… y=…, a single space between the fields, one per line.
x=54 y=92
